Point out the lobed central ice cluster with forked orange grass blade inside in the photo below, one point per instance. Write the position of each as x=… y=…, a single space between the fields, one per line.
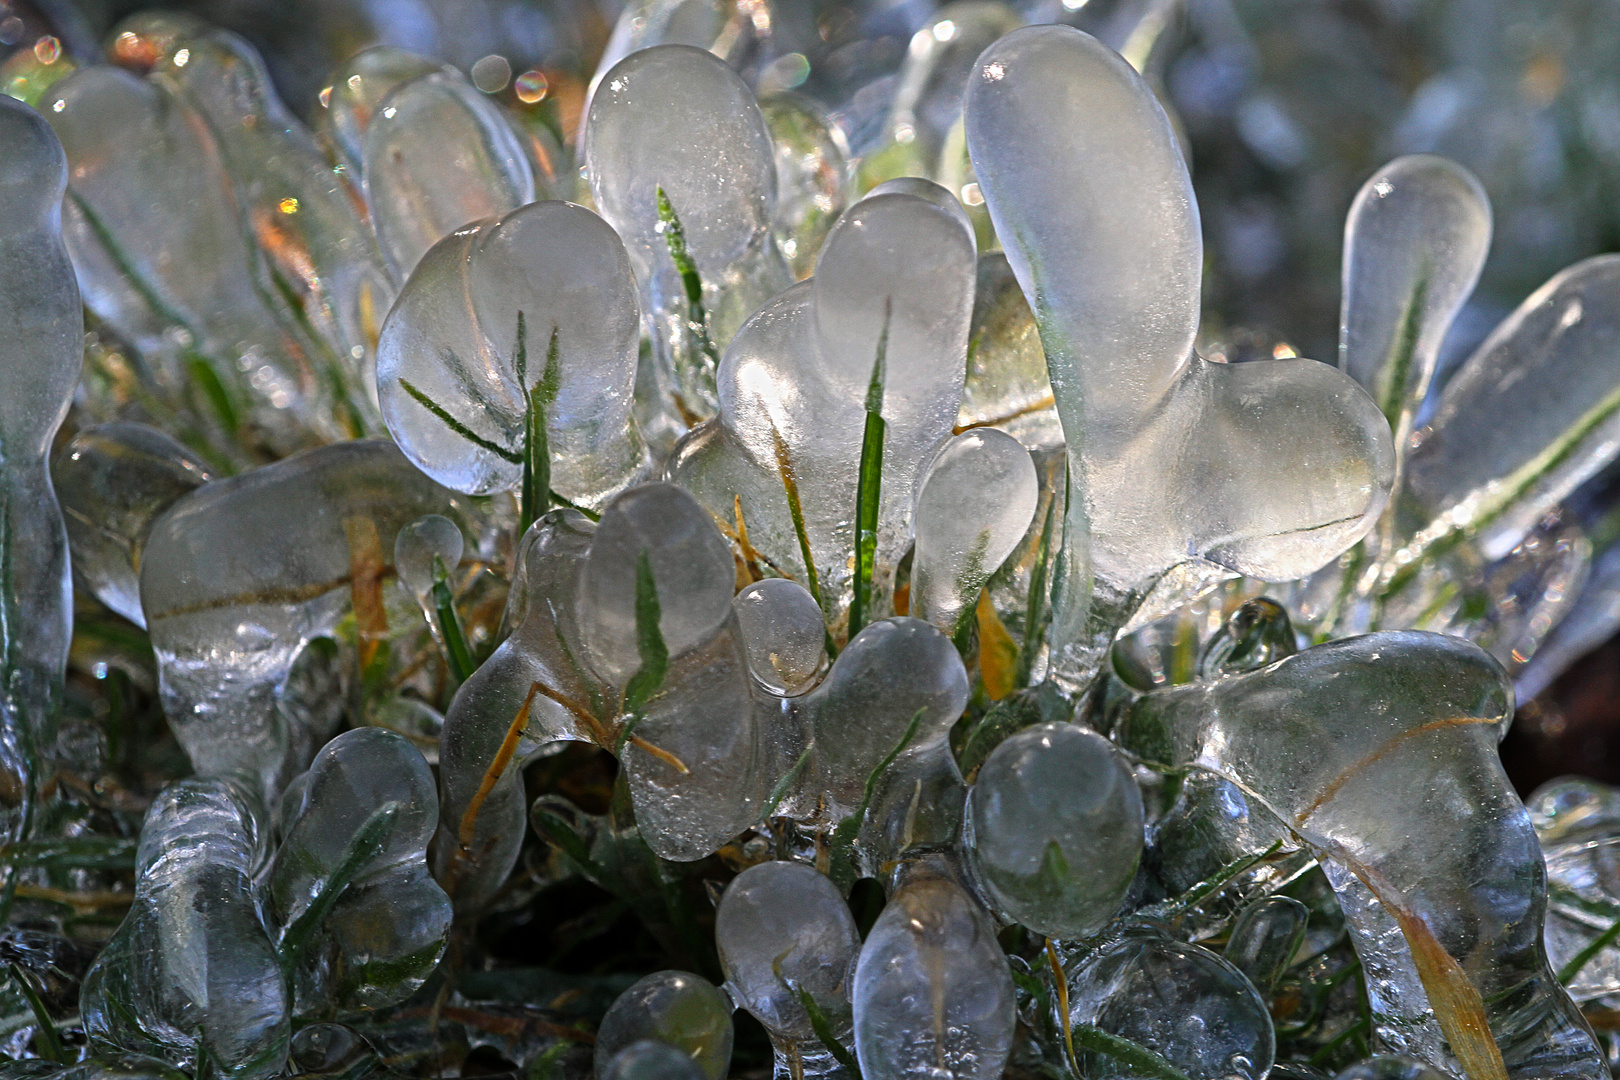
x=706 y=742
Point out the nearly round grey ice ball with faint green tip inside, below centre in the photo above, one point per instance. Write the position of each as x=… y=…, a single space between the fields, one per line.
x=1057 y=830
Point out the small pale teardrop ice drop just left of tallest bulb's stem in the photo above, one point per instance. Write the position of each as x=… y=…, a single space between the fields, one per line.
x=976 y=504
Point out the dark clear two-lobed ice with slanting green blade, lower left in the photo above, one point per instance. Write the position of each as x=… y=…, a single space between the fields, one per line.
x=351 y=906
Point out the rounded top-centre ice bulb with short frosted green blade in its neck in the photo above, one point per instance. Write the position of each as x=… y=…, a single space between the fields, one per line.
x=683 y=166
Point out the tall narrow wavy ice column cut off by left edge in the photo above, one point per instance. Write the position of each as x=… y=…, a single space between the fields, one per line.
x=41 y=351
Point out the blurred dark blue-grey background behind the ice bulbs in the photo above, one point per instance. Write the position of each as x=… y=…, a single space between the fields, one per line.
x=1285 y=109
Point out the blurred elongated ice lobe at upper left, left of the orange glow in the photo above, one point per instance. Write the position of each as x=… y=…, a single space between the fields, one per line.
x=168 y=261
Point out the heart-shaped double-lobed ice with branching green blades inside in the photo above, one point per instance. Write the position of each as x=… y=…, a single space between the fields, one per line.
x=509 y=330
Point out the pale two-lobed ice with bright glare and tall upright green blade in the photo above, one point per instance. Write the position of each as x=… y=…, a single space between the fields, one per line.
x=882 y=325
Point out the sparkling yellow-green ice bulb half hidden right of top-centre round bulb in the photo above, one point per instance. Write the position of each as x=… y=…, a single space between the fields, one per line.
x=812 y=177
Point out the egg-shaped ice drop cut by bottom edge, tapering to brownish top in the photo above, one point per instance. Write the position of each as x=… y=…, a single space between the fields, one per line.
x=932 y=990
